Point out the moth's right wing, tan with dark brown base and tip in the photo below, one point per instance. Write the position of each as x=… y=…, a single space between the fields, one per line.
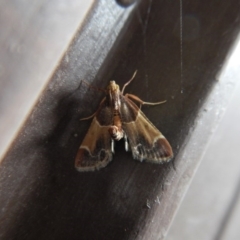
x=146 y=141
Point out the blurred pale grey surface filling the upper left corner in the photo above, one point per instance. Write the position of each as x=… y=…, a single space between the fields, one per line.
x=34 y=36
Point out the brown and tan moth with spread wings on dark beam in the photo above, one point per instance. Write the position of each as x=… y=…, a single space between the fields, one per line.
x=119 y=117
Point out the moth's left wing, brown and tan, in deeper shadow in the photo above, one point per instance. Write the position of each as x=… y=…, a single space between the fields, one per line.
x=95 y=151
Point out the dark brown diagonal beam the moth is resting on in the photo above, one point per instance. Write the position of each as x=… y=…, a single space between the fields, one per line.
x=44 y=197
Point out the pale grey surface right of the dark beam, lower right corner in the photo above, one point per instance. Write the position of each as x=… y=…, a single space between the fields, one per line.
x=212 y=201
